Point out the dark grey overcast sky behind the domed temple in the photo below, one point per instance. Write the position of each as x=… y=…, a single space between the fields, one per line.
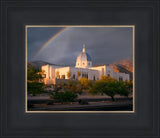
x=105 y=45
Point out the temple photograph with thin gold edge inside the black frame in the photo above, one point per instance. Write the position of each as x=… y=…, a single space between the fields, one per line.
x=62 y=76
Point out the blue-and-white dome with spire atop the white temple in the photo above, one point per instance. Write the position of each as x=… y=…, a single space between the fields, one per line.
x=83 y=59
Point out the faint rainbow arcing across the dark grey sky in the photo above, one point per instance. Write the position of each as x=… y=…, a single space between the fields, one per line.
x=50 y=40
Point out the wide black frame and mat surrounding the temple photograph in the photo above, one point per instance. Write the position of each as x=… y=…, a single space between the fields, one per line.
x=143 y=123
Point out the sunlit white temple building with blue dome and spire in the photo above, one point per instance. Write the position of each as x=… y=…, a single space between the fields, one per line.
x=83 y=68
